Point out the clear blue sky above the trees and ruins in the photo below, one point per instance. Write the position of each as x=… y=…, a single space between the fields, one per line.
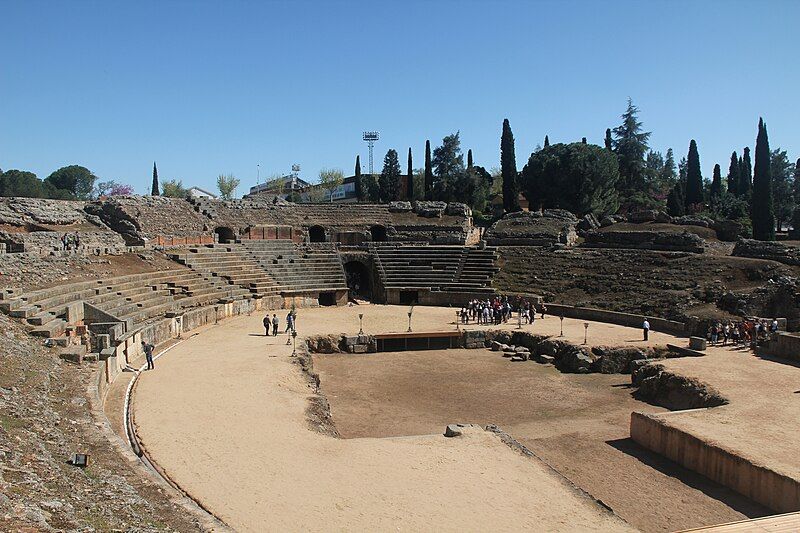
x=205 y=88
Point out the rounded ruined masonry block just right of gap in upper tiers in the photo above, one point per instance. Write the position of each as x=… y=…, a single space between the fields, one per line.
x=554 y=226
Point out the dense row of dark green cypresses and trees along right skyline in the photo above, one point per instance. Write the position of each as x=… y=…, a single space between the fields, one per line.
x=623 y=175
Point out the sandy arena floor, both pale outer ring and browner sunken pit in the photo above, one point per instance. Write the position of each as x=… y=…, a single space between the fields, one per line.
x=224 y=415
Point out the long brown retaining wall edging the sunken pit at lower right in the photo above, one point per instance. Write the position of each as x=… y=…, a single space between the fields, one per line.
x=759 y=483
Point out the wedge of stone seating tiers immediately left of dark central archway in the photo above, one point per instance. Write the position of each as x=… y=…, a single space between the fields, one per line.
x=299 y=268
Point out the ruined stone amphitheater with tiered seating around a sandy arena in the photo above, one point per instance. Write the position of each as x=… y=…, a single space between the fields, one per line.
x=570 y=423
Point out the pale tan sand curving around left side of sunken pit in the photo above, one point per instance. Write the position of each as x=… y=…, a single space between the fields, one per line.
x=224 y=415
